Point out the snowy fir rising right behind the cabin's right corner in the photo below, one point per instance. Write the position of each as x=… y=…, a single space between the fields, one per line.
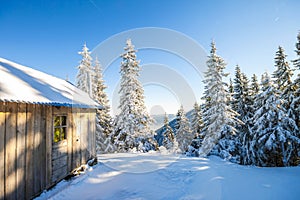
x=103 y=118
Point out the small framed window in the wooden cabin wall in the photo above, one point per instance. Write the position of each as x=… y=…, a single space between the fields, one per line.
x=60 y=128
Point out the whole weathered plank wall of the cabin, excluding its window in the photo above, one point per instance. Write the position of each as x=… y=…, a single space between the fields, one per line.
x=30 y=161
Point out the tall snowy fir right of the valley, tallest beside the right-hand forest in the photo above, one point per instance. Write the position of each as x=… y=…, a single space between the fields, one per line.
x=219 y=119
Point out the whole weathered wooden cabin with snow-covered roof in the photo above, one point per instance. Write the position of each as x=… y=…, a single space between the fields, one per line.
x=47 y=128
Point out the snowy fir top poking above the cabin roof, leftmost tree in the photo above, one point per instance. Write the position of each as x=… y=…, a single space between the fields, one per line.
x=85 y=71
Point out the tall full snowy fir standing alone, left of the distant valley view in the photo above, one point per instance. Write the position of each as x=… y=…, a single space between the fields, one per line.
x=132 y=125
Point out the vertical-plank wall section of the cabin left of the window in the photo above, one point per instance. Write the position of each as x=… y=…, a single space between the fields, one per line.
x=22 y=150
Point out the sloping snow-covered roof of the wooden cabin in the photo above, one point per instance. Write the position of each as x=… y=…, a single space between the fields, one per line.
x=23 y=84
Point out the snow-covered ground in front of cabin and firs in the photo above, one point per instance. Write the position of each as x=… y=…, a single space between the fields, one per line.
x=161 y=176
